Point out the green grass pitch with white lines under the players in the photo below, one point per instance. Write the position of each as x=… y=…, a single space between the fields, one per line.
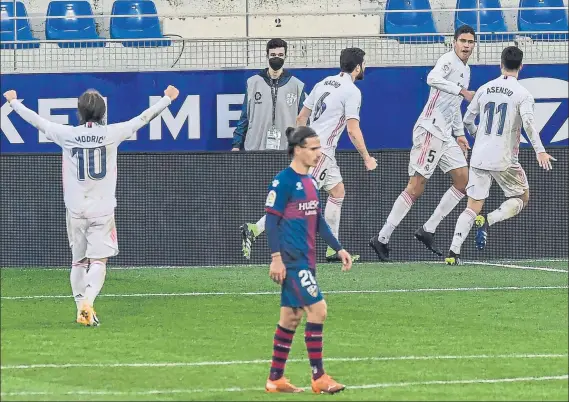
x=401 y=331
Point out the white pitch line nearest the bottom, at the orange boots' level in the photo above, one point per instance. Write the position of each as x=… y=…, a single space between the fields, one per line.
x=239 y=389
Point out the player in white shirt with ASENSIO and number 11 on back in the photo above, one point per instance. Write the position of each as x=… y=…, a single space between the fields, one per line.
x=504 y=106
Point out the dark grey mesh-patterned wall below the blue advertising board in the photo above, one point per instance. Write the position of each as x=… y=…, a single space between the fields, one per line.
x=185 y=209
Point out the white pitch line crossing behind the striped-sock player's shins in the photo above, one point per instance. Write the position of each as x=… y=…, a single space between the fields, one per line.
x=260 y=361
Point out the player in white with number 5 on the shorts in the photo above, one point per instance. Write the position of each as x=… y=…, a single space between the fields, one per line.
x=438 y=140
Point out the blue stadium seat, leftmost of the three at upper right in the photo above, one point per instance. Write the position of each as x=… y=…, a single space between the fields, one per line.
x=411 y=22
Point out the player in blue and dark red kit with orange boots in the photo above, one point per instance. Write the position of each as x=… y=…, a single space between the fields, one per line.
x=293 y=220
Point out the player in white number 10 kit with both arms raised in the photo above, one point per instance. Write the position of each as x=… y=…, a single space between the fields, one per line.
x=89 y=183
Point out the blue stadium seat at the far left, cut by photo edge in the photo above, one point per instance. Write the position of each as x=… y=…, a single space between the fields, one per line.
x=24 y=32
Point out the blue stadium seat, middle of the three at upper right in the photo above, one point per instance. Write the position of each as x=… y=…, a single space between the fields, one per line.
x=490 y=20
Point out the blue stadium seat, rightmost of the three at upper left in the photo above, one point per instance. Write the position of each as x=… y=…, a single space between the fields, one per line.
x=136 y=26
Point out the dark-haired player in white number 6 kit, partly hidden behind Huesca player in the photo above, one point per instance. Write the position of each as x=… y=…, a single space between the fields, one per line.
x=333 y=104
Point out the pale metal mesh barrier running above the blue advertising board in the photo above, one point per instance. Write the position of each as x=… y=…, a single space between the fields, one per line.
x=204 y=54
